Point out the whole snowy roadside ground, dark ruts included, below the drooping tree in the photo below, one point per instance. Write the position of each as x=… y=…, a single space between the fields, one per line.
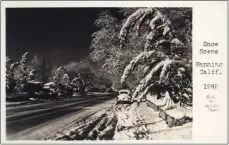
x=124 y=122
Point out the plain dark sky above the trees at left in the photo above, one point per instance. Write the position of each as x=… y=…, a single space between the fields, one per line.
x=63 y=35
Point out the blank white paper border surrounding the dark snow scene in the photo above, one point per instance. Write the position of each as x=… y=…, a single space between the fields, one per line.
x=197 y=121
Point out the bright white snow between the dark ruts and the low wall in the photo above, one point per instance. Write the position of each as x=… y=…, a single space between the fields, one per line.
x=144 y=123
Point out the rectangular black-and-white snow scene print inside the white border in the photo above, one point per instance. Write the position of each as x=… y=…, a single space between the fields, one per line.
x=99 y=73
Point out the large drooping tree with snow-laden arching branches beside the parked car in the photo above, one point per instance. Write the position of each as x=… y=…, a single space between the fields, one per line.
x=165 y=67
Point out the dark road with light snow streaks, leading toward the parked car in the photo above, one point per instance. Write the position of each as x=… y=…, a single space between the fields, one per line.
x=32 y=122
